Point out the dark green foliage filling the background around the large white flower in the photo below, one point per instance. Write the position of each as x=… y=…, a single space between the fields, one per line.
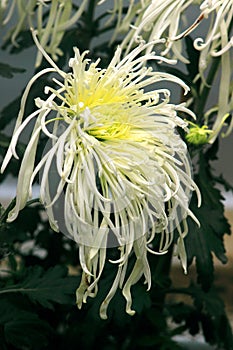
x=39 y=269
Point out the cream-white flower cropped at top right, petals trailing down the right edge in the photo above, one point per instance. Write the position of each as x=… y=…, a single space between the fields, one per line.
x=152 y=20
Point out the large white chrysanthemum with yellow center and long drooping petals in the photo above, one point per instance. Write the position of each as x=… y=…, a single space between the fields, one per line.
x=115 y=162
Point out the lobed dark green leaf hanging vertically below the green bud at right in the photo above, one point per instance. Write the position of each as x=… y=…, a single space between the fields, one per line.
x=202 y=242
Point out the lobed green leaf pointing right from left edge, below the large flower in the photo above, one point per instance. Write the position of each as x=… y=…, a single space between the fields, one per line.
x=45 y=287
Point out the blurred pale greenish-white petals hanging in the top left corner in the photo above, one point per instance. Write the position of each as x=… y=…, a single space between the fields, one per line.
x=50 y=28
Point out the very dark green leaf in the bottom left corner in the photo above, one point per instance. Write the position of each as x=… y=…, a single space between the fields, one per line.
x=21 y=328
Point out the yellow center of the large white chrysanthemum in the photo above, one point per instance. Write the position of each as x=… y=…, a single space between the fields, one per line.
x=111 y=105
